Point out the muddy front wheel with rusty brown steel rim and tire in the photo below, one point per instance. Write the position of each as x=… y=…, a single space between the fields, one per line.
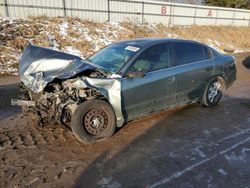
x=93 y=120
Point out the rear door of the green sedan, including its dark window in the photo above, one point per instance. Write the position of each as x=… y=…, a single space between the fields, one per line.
x=194 y=66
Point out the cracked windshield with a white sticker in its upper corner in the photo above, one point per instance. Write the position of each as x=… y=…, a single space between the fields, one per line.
x=113 y=57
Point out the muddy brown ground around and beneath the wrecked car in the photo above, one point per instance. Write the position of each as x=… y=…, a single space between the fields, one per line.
x=191 y=146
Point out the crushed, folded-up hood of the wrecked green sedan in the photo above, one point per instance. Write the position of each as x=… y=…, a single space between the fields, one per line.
x=40 y=66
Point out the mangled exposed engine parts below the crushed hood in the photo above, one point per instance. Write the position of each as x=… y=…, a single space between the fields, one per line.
x=58 y=100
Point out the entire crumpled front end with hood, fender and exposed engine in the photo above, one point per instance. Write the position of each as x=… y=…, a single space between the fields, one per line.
x=54 y=83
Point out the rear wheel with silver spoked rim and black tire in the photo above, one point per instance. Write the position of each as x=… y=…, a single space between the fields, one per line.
x=212 y=93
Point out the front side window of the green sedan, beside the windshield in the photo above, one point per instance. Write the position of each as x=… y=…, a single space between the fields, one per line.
x=153 y=58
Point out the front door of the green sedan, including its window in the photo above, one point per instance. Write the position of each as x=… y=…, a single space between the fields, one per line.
x=156 y=89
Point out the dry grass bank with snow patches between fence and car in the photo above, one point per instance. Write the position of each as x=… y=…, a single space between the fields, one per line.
x=88 y=36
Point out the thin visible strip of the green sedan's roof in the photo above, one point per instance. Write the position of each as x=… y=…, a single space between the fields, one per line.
x=144 y=42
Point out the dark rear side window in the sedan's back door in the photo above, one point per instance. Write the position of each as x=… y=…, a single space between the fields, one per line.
x=188 y=53
